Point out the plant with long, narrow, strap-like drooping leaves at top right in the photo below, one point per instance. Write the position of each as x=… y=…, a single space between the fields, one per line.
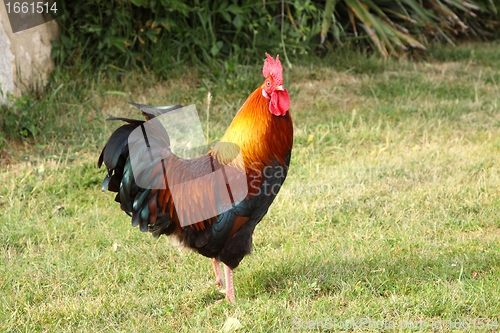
x=394 y=26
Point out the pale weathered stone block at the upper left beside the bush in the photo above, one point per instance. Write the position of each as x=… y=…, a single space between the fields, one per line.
x=24 y=56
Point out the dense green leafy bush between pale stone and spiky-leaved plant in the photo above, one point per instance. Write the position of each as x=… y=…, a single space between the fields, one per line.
x=162 y=34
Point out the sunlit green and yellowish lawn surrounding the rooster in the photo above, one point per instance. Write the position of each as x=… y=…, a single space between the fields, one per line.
x=389 y=212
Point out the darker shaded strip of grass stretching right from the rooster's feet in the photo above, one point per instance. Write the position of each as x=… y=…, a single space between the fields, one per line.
x=436 y=275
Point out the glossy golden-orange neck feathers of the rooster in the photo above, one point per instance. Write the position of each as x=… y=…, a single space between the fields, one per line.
x=262 y=137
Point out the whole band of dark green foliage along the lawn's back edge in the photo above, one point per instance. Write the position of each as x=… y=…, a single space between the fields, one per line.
x=161 y=34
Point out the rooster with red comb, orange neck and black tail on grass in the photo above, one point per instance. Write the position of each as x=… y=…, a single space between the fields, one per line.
x=261 y=134
